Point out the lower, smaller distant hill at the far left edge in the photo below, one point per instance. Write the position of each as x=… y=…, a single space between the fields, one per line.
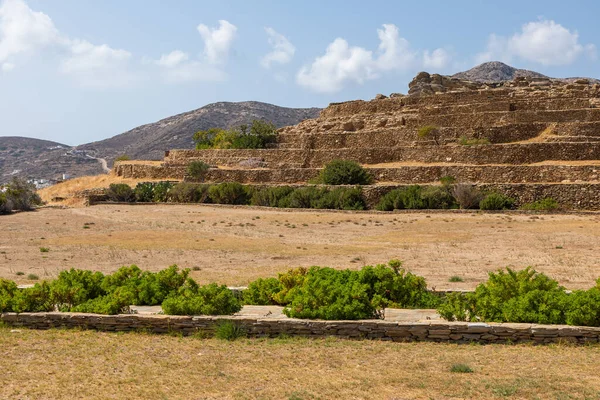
x=20 y=156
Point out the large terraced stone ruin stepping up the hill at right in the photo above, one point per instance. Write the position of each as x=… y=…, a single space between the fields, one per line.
x=541 y=139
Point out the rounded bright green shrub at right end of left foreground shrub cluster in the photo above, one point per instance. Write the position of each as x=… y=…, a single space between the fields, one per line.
x=210 y=299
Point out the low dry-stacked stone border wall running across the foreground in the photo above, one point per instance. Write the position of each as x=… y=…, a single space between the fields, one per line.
x=457 y=332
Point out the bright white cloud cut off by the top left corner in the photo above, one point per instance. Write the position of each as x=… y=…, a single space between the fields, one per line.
x=23 y=30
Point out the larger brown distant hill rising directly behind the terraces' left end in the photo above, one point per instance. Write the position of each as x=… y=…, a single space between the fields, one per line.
x=149 y=142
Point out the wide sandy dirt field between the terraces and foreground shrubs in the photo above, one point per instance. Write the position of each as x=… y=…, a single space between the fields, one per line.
x=236 y=245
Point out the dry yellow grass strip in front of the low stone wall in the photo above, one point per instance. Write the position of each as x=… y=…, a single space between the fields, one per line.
x=91 y=365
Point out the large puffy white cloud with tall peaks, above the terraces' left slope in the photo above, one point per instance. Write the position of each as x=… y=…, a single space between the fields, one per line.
x=342 y=64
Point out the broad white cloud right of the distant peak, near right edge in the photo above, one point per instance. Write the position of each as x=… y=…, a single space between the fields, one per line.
x=545 y=42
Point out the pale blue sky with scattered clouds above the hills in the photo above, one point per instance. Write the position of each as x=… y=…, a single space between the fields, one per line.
x=76 y=71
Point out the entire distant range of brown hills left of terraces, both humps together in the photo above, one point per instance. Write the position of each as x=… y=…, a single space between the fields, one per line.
x=43 y=159
